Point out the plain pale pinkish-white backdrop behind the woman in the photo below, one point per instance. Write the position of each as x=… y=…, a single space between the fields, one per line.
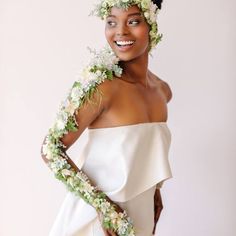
x=42 y=50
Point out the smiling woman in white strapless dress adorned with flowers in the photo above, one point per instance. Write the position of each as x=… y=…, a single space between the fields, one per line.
x=126 y=153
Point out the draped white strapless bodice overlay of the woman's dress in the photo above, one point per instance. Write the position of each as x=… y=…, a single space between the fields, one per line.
x=128 y=159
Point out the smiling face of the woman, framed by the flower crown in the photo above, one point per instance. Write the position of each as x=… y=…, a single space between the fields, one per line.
x=127 y=33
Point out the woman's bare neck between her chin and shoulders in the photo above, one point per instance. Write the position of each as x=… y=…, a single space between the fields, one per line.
x=136 y=71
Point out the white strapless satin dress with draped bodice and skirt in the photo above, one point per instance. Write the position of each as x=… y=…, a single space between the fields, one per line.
x=127 y=163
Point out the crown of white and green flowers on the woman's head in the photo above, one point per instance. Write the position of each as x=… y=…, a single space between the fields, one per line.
x=149 y=9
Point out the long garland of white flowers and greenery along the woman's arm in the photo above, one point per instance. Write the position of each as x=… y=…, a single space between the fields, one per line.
x=102 y=67
